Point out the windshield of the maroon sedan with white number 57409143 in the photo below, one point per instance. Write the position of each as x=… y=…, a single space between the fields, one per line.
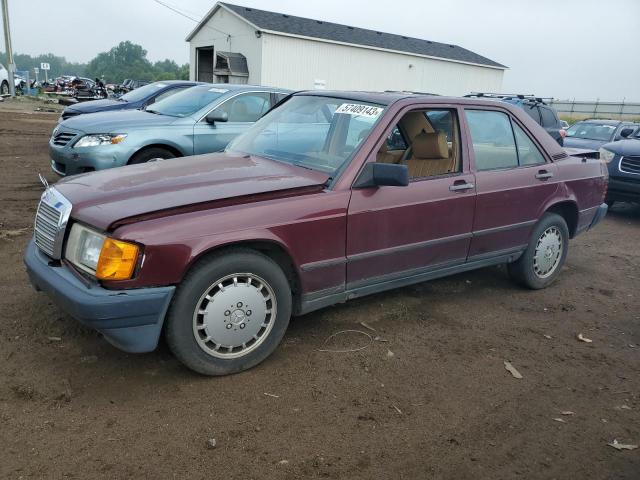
x=320 y=133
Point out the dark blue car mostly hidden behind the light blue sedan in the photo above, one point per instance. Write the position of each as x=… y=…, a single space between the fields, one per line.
x=134 y=100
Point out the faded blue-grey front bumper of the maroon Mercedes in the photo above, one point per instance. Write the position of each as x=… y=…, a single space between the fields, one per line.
x=131 y=320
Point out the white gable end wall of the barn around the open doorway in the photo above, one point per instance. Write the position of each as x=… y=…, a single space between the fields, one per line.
x=242 y=39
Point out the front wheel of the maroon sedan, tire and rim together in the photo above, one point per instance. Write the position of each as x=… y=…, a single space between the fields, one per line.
x=204 y=321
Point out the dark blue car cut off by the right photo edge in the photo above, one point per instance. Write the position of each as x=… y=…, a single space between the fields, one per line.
x=623 y=159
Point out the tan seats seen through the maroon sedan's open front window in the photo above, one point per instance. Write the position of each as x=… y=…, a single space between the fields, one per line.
x=429 y=153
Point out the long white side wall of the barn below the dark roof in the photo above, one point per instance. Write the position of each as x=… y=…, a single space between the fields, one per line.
x=298 y=63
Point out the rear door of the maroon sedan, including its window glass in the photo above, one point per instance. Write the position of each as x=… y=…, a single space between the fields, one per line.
x=513 y=181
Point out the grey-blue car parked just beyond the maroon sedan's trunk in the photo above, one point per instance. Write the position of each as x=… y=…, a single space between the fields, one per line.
x=592 y=134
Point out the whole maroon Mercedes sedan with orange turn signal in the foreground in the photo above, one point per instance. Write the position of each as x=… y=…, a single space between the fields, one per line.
x=330 y=196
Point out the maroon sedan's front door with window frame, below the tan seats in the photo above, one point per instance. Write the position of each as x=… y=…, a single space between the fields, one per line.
x=394 y=233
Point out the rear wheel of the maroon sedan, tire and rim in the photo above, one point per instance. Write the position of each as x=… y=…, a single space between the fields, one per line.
x=542 y=261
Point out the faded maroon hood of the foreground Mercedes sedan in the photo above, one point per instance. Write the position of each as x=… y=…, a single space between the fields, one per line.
x=109 y=196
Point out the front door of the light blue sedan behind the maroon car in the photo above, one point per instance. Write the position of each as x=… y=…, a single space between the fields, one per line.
x=243 y=110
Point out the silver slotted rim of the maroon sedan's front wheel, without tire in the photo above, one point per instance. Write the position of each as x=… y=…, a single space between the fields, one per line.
x=234 y=315
